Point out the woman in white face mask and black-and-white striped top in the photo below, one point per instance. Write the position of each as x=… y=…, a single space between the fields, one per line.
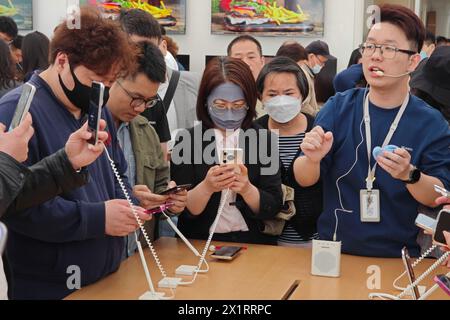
x=281 y=87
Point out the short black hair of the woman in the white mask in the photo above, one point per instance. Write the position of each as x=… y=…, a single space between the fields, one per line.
x=283 y=64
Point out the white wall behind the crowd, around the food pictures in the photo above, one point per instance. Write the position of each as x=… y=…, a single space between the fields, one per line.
x=343 y=29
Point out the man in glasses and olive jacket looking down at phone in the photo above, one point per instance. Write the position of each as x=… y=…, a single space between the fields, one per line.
x=147 y=172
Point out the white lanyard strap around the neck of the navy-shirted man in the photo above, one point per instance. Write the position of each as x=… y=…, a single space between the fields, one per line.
x=371 y=172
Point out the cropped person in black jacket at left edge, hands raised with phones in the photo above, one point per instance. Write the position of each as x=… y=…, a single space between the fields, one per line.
x=22 y=187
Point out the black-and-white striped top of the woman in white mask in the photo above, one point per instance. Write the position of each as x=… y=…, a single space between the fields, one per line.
x=288 y=148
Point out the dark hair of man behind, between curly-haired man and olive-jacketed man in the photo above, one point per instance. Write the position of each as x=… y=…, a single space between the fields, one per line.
x=140 y=23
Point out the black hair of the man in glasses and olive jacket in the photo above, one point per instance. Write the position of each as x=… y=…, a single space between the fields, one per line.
x=150 y=62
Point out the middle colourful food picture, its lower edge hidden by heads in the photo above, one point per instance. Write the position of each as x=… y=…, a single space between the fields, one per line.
x=170 y=13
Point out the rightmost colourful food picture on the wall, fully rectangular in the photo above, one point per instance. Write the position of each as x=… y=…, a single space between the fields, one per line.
x=304 y=18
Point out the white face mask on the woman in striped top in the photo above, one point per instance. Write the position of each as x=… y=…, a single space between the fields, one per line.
x=283 y=109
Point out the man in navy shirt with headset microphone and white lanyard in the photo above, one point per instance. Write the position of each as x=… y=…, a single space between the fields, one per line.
x=370 y=204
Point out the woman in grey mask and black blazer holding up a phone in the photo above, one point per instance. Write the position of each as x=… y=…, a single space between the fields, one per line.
x=249 y=193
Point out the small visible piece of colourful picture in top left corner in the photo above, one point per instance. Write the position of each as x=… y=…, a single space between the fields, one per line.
x=20 y=10
